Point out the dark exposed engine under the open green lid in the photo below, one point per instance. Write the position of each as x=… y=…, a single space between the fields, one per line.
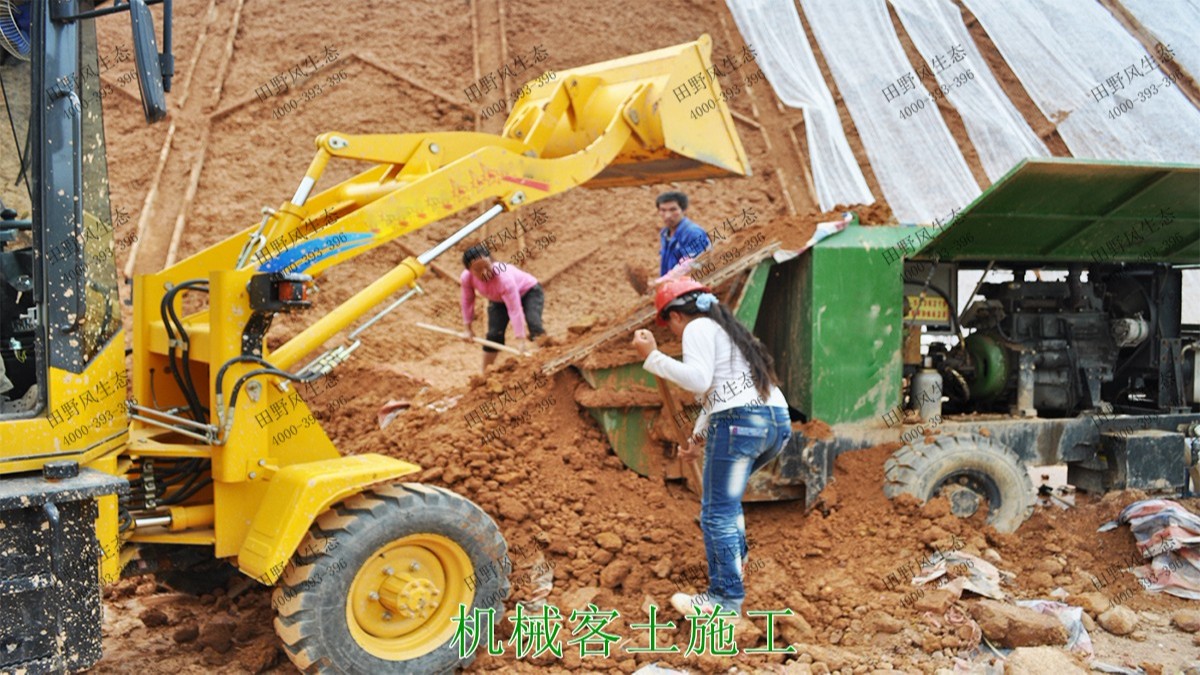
x=1107 y=341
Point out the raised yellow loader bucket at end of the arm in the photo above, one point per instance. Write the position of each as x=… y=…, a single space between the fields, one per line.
x=682 y=129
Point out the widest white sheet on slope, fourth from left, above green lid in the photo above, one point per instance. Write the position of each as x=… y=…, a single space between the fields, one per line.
x=1079 y=64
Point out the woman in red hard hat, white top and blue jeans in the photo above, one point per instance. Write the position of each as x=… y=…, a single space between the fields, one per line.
x=743 y=425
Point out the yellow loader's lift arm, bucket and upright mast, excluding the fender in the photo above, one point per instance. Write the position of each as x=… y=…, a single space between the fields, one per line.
x=613 y=124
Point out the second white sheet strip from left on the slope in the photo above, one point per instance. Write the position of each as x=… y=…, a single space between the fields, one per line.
x=919 y=165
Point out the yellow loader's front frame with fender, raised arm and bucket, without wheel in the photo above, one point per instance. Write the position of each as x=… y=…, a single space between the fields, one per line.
x=620 y=123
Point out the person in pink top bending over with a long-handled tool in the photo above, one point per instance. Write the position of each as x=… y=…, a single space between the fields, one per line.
x=514 y=296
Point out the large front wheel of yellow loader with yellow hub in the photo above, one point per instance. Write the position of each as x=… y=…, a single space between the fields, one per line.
x=322 y=617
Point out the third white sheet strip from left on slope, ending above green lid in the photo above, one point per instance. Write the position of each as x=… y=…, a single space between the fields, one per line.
x=995 y=127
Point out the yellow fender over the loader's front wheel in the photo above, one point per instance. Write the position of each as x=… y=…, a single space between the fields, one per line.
x=297 y=495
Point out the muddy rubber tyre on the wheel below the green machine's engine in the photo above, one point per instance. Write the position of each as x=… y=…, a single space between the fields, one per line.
x=923 y=469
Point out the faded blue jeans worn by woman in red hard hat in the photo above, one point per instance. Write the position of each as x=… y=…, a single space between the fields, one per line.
x=741 y=441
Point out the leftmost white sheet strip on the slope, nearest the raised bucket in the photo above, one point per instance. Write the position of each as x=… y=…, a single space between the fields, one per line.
x=776 y=32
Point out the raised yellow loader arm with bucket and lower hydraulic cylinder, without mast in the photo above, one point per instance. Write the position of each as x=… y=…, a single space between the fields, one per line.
x=567 y=134
